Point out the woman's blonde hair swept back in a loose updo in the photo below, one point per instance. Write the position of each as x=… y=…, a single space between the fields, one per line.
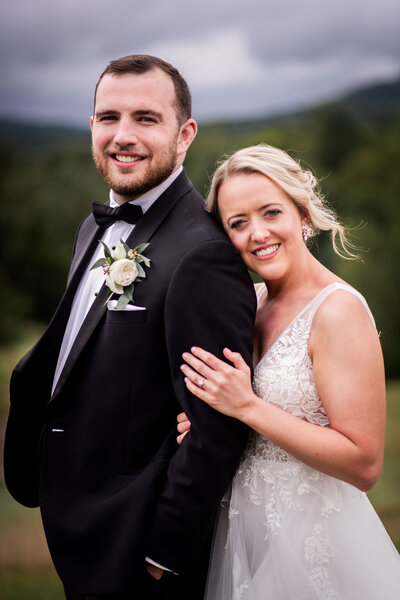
x=301 y=186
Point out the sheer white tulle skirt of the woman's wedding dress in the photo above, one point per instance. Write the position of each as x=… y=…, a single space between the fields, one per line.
x=289 y=532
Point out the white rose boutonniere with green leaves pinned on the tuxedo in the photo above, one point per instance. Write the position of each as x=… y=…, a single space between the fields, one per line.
x=122 y=268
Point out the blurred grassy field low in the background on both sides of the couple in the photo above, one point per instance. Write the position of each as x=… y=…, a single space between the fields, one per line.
x=26 y=572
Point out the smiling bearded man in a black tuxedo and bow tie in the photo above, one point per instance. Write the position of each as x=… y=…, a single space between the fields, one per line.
x=91 y=432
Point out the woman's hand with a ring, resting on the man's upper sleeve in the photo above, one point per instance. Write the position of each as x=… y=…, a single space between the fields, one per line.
x=226 y=388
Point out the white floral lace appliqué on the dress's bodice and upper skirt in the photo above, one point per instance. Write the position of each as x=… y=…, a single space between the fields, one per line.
x=268 y=475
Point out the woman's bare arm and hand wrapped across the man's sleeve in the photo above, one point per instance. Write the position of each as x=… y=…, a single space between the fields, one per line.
x=349 y=375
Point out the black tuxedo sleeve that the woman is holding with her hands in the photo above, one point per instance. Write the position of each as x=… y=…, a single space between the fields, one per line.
x=211 y=304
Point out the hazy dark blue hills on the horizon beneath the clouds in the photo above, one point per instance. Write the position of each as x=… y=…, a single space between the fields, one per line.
x=376 y=102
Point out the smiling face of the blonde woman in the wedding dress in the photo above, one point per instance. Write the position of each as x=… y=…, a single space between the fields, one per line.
x=263 y=223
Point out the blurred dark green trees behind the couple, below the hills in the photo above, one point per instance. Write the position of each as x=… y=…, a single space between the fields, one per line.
x=48 y=181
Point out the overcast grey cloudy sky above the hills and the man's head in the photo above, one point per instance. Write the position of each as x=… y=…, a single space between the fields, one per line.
x=241 y=57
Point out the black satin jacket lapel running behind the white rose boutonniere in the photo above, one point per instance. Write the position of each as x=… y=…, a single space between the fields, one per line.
x=143 y=232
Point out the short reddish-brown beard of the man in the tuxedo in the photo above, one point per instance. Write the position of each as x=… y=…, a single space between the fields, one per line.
x=136 y=181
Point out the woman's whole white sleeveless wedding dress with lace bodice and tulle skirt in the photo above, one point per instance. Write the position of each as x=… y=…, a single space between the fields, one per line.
x=289 y=532
